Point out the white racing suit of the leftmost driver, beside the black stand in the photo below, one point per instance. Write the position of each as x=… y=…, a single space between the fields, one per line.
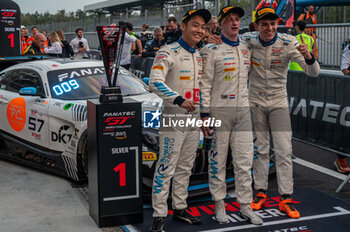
x=175 y=76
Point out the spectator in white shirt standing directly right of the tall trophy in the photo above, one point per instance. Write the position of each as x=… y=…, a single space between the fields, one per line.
x=128 y=40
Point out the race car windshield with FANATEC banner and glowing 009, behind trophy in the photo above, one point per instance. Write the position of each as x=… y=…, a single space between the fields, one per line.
x=85 y=83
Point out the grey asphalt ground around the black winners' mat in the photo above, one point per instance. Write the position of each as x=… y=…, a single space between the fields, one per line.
x=31 y=200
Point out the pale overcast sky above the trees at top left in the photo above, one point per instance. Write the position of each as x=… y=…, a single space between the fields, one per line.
x=52 y=5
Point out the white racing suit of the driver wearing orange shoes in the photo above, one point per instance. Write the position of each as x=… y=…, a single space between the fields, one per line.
x=269 y=105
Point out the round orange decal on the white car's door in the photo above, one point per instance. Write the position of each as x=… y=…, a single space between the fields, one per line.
x=16 y=113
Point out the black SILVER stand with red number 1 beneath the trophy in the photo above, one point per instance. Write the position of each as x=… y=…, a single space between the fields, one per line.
x=115 y=188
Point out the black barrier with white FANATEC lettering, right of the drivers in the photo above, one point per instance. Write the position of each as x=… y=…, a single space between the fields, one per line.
x=320 y=109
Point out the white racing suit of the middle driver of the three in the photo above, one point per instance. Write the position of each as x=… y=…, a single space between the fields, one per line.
x=225 y=97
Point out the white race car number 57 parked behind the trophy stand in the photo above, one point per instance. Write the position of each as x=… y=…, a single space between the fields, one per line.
x=43 y=120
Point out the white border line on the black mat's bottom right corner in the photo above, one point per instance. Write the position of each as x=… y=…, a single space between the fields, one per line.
x=340 y=211
